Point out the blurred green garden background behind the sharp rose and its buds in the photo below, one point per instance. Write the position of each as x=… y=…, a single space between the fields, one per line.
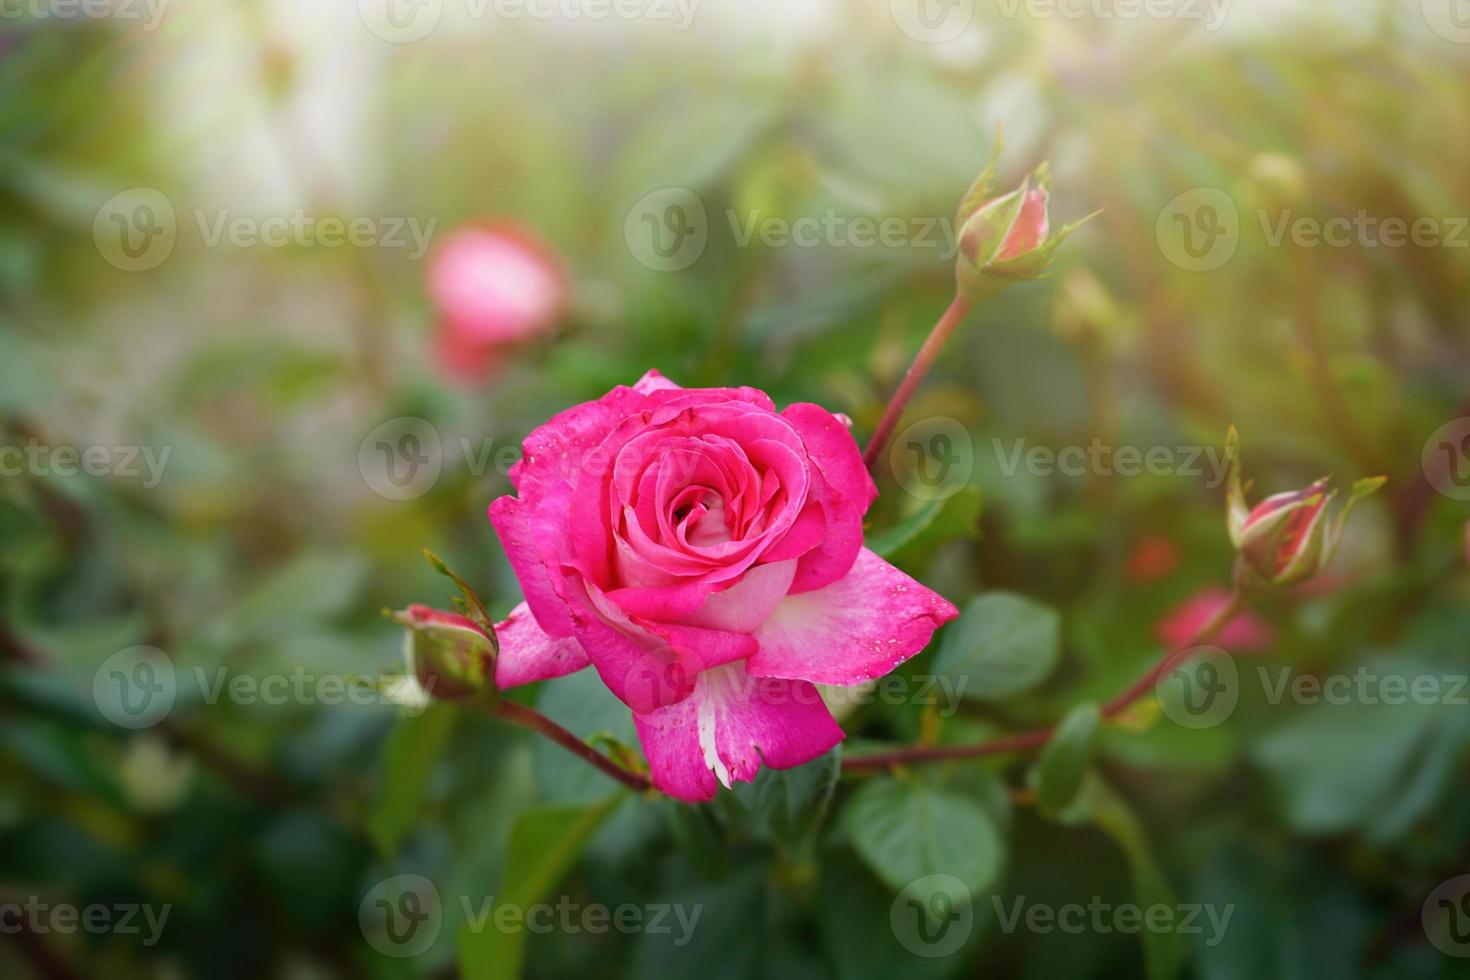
x=286 y=284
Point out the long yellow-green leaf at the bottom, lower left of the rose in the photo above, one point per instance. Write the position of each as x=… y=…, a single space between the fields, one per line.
x=545 y=846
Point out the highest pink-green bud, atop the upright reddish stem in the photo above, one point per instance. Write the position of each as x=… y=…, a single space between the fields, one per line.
x=1006 y=239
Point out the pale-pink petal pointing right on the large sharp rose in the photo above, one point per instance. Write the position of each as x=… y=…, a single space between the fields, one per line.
x=856 y=630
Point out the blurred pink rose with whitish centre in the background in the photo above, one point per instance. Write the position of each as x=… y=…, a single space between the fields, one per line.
x=493 y=286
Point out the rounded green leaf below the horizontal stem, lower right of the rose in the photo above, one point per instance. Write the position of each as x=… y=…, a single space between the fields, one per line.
x=908 y=831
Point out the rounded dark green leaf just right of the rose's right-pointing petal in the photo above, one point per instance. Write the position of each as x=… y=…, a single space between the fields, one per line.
x=1002 y=646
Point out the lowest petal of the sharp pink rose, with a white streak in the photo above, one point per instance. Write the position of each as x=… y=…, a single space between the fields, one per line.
x=728 y=728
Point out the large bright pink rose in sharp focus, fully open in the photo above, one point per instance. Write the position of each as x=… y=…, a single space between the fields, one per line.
x=705 y=555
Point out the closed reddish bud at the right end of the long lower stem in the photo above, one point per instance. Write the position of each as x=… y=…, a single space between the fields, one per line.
x=1287 y=538
